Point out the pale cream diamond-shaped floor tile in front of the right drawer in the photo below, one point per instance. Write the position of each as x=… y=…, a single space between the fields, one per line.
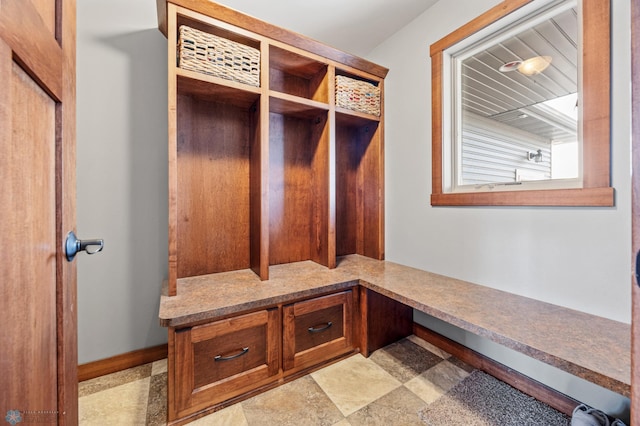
x=354 y=382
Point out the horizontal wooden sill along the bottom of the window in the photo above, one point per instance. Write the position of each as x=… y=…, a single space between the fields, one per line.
x=580 y=197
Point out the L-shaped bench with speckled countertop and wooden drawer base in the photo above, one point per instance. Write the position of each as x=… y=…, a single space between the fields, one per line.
x=383 y=295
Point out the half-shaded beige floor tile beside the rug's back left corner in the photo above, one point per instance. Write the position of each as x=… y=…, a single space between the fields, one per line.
x=436 y=381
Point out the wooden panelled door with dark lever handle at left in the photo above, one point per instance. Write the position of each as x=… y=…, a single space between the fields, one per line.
x=38 y=337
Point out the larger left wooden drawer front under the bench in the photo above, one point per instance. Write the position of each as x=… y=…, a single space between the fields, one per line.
x=218 y=361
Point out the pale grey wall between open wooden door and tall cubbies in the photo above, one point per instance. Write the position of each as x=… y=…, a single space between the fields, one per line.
x=122 y=175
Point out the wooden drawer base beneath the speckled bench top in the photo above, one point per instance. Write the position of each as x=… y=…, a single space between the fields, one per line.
x=364 y=321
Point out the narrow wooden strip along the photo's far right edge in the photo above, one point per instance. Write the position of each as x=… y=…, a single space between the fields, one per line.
x=635 y=158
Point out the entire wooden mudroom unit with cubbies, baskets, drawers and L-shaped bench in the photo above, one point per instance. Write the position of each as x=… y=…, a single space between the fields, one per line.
x=276 y=225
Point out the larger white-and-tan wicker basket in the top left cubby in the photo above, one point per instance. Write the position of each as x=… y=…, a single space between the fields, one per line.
x=209 y=54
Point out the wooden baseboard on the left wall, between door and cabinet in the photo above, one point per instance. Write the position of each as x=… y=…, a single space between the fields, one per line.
x=121 y=362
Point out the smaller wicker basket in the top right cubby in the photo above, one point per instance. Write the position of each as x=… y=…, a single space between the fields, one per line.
x=357 y=95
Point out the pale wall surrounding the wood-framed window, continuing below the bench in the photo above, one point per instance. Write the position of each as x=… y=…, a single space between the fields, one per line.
x=574 y=257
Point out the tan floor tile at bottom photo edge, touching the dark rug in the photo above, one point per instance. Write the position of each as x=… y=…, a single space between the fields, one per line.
x=398 y=408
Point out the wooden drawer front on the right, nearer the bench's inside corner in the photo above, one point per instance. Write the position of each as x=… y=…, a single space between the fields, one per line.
x=316 y=330
